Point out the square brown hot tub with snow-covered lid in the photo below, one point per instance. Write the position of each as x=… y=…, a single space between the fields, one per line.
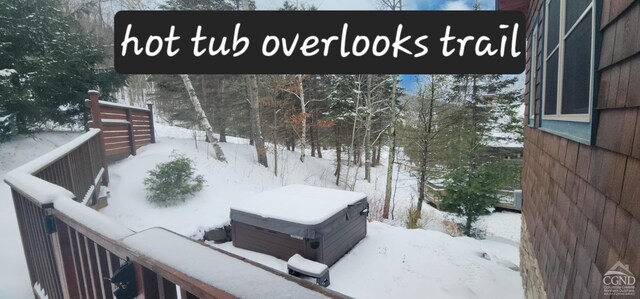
x=320 y=224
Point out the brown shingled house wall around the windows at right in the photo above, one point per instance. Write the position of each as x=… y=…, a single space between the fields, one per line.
x=581 y=210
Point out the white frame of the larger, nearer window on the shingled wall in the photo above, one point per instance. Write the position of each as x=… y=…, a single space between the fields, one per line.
x=562 y=36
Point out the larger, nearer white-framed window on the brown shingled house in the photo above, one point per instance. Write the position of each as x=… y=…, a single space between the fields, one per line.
x=569 y=60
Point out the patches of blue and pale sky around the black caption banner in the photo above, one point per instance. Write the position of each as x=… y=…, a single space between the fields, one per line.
x=408 y=81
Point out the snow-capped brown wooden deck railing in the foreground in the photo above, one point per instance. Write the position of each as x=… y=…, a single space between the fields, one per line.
x=72 y=250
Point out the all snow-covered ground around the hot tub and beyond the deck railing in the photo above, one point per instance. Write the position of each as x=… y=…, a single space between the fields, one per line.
x=390 y=262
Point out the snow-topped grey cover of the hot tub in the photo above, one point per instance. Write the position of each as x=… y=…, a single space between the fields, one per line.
x=298 y=210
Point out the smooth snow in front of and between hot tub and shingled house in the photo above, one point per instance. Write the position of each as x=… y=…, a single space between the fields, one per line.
x=393 y=262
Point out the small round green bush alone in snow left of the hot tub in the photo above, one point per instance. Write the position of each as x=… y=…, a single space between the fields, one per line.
x=172 y=181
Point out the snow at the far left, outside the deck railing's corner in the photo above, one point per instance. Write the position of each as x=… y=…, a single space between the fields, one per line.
x=14 y=276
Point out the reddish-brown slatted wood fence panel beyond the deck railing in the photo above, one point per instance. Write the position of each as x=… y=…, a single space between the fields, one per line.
x=126 y=128
